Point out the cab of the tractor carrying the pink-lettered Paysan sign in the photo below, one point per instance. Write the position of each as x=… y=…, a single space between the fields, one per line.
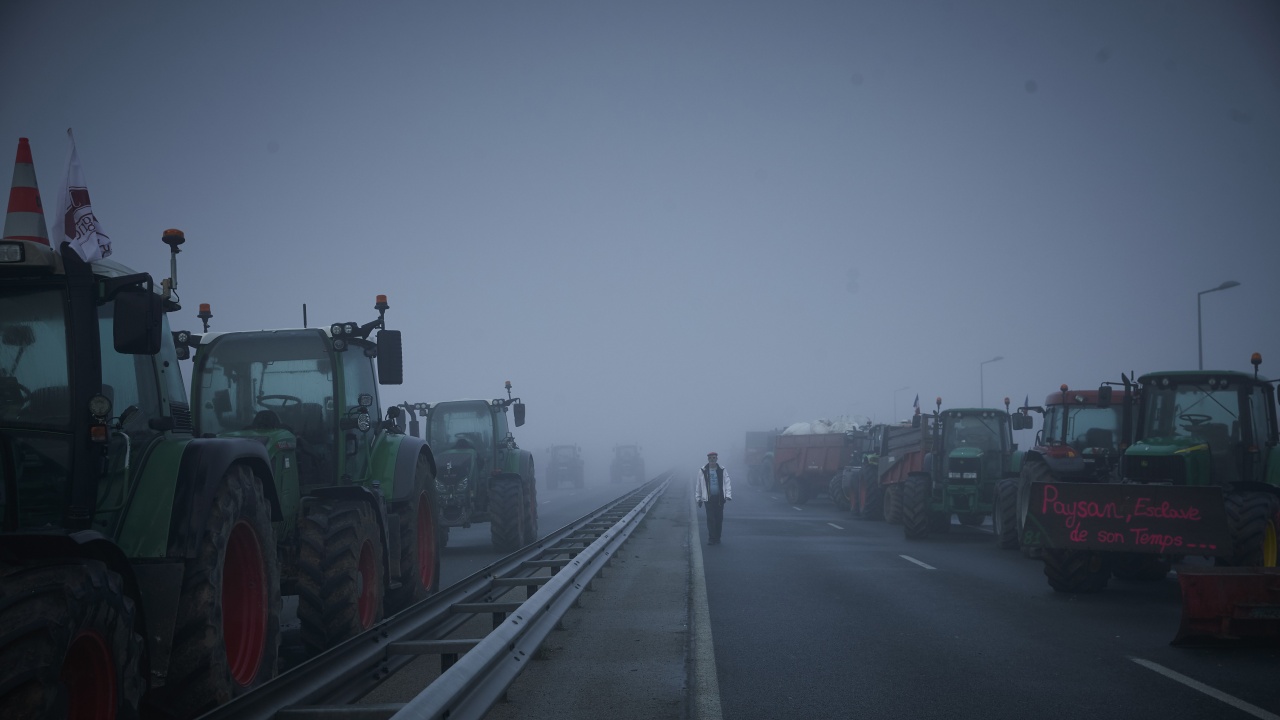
x=1204 y=429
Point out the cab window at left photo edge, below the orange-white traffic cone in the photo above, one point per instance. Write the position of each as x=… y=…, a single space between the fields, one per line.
x=34 y=376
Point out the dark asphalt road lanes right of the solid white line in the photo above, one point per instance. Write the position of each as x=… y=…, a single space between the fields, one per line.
x=816 y=614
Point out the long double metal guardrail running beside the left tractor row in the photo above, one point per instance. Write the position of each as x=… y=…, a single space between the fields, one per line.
x=476 y=672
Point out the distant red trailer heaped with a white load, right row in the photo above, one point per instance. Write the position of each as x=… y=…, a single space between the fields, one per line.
x=806 y=464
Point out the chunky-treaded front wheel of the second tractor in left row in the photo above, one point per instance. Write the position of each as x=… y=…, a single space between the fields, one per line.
x=341 y=578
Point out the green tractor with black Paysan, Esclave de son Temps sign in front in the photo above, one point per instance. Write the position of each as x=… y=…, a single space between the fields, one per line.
x=1203 y=479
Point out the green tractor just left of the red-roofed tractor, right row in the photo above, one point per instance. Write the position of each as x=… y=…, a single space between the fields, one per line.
x=973 y=450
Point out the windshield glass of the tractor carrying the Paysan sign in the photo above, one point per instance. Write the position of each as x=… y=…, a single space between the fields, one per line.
x=1194 y=411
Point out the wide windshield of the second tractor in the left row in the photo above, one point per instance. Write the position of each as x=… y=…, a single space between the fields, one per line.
x=281 y=380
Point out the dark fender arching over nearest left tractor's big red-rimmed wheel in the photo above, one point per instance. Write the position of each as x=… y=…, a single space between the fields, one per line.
x=204 y=463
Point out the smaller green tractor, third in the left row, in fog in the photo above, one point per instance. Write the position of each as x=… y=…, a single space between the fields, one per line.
x=484 y=477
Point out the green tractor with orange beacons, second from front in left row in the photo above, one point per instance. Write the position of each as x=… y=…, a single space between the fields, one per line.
x=359 y=536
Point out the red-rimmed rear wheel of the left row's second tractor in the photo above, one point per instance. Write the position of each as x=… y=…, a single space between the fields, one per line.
x=420 y=557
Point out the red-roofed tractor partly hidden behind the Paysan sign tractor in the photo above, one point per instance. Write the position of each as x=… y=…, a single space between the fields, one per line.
x=1081 y=441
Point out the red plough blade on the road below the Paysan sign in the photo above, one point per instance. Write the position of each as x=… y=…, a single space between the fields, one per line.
x=1229 y=605
